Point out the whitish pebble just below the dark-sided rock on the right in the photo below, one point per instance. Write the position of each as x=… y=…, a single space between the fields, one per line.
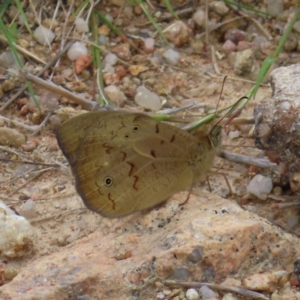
x=260 y=186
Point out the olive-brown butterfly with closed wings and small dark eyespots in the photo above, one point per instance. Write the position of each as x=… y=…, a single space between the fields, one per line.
x=126 y=162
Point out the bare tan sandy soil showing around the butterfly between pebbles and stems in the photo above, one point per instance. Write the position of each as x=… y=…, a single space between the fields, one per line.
x=60 y=216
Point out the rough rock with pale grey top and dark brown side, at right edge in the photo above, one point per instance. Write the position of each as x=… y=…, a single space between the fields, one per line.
x=278 y=124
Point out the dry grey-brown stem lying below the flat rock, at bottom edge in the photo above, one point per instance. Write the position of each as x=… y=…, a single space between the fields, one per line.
x=219 y=287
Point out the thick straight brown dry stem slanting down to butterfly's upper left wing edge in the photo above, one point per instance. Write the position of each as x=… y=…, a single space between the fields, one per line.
x=85 y=104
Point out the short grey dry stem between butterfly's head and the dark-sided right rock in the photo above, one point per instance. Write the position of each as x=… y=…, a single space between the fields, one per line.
x=248 y=160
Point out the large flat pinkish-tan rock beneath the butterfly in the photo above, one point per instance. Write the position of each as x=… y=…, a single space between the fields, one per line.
x=206 y=239
